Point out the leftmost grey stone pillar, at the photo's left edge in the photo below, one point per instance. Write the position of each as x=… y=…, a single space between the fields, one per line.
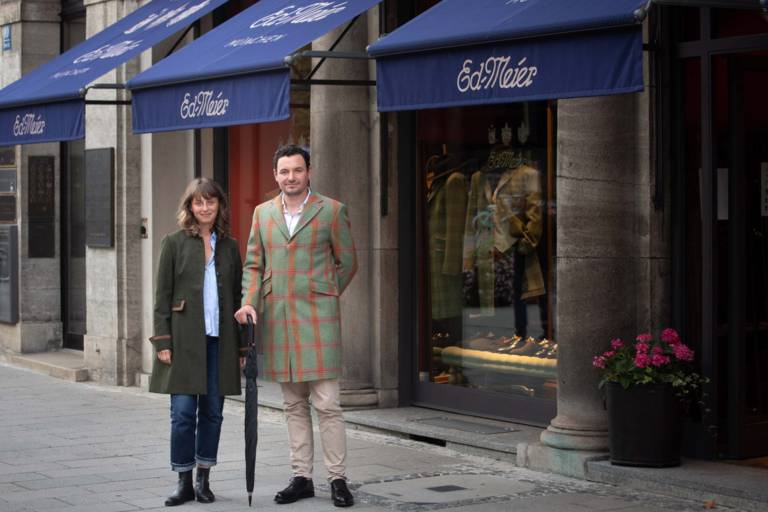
x=35 y=37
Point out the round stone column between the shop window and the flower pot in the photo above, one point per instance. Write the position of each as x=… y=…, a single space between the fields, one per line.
x=602 y=264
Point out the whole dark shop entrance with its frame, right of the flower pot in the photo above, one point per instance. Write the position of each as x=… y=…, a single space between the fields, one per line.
x=722 y=228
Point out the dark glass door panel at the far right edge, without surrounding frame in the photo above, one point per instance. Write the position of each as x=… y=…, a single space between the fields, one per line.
x=741 y=128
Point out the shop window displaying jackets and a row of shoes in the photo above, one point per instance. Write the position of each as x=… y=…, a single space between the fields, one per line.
x=487 y=204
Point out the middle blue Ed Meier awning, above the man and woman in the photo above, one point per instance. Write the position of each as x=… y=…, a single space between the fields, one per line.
x=236 y=73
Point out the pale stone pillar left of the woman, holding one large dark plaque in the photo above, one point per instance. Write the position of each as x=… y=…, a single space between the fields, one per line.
x=113 y=278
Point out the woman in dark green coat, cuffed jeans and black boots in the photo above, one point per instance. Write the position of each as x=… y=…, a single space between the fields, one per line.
x=196 y=339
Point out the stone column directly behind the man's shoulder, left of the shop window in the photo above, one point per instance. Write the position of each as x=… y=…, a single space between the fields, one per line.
x=340 y=125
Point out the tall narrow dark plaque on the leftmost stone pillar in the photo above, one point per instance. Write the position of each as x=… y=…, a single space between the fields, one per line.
x=41 y=205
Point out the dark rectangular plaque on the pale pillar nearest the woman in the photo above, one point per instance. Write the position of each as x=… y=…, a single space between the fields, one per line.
x=100 y=197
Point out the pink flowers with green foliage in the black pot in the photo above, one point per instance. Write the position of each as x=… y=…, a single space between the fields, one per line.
x=666 y=360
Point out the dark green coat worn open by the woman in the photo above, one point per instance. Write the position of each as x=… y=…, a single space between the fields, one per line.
x=180 y=322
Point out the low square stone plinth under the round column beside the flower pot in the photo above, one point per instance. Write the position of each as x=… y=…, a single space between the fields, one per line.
x=541 y=457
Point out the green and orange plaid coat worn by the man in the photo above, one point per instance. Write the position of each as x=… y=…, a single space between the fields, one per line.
x=294 y=282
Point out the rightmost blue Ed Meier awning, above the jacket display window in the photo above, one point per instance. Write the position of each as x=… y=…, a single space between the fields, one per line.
x=498 y=51
